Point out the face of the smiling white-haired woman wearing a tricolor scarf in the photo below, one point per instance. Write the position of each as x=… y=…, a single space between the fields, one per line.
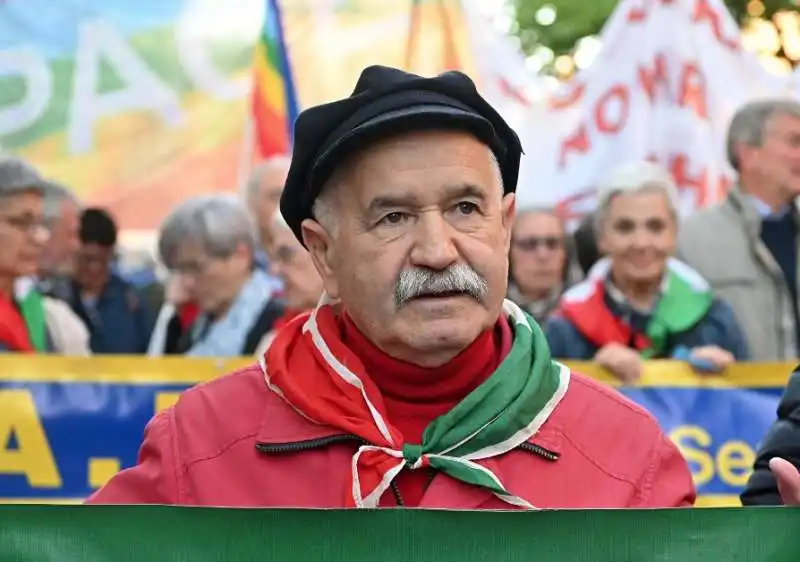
x=639 y=234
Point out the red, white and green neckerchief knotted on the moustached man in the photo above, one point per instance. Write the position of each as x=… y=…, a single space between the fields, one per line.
x=310 y=368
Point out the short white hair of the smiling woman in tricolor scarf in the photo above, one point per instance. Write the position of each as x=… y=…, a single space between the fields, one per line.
x=634 y=178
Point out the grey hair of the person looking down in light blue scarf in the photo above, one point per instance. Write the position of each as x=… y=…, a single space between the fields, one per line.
x=219 y=223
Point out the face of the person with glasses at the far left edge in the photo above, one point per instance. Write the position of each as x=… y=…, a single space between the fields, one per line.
x=22 y=234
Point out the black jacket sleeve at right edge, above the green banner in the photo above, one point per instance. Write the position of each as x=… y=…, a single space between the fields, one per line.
x=782 y=440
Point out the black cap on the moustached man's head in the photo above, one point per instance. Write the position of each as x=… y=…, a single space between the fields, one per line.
x=388 y=101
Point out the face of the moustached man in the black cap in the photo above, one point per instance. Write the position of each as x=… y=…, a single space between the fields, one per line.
x=420 y=202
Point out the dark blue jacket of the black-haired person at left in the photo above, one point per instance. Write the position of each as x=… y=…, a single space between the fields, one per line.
x=120 y=322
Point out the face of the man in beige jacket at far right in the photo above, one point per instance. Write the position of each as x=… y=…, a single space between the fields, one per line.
x=778 y=158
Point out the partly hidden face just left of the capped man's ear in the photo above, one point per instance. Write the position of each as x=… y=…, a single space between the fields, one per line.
x=289 y=260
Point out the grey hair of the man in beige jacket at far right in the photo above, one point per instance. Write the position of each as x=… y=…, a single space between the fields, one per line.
x=750 y=122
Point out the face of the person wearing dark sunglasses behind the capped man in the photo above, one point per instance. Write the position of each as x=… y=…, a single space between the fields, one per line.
x=537 y=253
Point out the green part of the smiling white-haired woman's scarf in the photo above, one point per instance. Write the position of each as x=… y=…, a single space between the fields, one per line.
x=679 y=309
